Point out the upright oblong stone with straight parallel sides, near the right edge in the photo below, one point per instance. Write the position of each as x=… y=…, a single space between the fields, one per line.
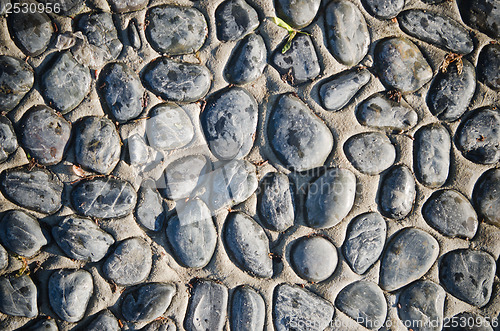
x=432 y=153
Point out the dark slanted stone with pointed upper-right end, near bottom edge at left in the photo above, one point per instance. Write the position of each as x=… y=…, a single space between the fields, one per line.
x=147 y=302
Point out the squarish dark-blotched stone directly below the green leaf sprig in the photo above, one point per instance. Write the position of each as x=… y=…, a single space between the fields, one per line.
x=300 y=63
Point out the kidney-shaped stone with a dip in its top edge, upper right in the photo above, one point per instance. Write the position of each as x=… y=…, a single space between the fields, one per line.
x=380 y=112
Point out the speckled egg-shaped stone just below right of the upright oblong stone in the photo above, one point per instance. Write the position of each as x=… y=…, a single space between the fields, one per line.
x=450 y=213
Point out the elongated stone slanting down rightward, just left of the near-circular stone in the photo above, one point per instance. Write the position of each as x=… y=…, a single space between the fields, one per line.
x=247 y=245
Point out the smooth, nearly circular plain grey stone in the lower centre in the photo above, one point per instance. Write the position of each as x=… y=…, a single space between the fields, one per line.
x=313 y=258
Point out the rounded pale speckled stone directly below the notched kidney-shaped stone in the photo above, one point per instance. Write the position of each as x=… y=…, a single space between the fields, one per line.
x=370 y=152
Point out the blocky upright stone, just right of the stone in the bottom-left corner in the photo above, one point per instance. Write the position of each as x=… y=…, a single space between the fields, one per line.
x=69 y=293
